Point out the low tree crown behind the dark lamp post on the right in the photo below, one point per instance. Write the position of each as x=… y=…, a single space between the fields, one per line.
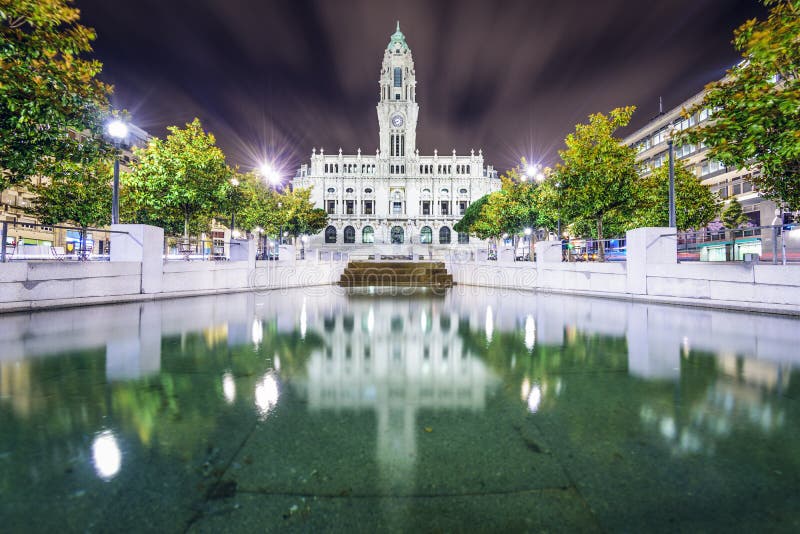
x=695 y=204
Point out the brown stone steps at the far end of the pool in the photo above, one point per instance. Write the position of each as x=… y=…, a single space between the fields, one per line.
x=396 y=274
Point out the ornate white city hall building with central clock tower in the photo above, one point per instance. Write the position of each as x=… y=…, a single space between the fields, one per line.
x=395 y=196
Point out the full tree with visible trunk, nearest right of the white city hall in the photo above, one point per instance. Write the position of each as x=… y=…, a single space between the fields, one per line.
x=598 y=178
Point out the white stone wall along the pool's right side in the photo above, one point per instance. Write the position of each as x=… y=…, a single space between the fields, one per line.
x=652 y=273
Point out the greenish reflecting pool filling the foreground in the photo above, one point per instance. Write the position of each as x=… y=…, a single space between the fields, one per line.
x=479 y=410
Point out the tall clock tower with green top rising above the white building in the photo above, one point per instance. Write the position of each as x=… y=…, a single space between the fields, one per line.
x=398 y=108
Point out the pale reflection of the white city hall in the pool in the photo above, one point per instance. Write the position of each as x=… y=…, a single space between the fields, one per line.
x=394 y=357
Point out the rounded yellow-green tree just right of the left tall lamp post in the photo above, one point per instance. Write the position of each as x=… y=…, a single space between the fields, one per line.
x=181 y=179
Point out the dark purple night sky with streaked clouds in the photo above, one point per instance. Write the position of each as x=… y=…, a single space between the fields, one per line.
x=274 y=78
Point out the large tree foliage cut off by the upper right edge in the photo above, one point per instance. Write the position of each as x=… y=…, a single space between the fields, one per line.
x=756 y=107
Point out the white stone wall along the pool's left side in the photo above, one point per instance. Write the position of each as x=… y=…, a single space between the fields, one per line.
x=137 y=271
